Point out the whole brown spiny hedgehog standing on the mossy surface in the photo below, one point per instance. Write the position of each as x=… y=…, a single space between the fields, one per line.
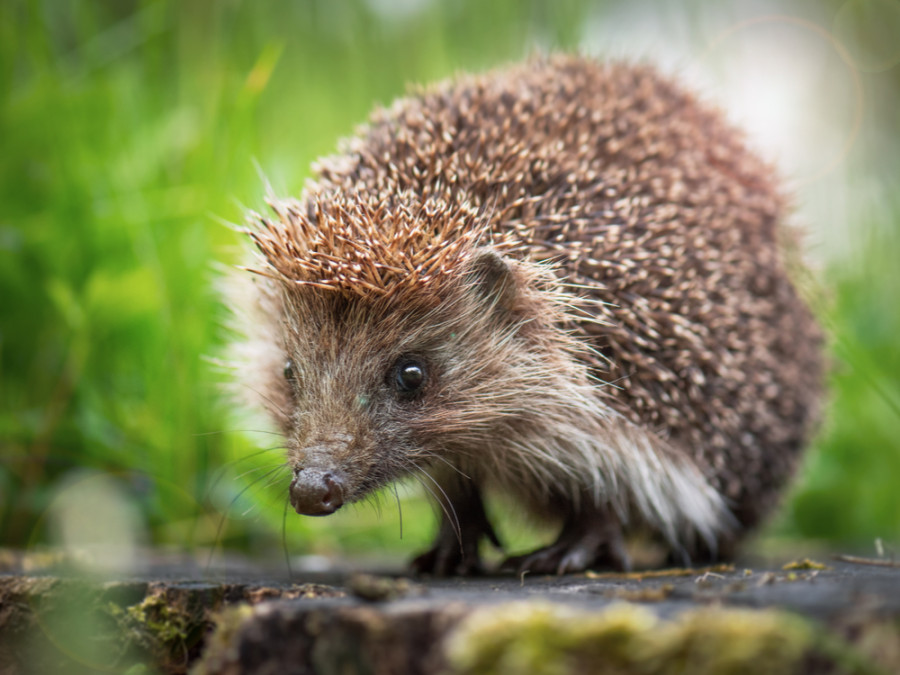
x=563 y=281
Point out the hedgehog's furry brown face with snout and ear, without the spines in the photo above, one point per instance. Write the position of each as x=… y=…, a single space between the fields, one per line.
x=372 y=388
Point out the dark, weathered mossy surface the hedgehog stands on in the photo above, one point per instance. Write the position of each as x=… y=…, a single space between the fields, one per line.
x=811 y=616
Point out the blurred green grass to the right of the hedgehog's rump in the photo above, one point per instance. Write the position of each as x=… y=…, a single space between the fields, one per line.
x=849 y=489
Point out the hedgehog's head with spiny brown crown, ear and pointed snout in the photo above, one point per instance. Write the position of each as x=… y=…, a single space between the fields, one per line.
x=404 y=337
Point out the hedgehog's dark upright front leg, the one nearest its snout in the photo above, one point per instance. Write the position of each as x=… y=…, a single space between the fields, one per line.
x=463 y=525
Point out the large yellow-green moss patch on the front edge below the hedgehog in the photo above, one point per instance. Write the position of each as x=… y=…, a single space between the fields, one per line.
x=552 y=640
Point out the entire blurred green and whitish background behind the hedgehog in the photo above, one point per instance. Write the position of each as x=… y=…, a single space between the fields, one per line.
x=132 y=133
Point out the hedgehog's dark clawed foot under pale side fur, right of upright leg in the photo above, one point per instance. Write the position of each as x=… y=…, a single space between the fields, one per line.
x=592 y=537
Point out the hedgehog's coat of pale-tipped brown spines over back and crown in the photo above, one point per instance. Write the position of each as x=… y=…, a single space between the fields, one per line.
x=665 y=226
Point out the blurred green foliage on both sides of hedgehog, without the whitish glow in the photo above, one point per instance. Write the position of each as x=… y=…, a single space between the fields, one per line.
x=129 y=130
